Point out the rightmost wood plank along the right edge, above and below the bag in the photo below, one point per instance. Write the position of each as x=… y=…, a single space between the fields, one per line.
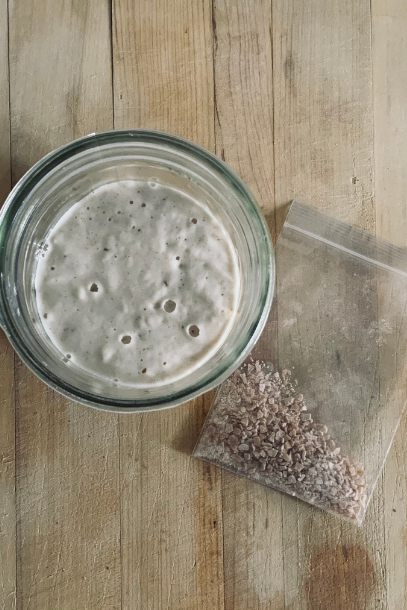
x=389 y=22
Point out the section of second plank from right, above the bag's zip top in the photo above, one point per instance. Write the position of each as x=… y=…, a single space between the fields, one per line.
x=323 y=107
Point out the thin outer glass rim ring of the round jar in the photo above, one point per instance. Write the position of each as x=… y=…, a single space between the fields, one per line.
x=85 y=144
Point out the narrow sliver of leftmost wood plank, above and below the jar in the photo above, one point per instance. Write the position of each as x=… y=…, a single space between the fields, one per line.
x=7 y=398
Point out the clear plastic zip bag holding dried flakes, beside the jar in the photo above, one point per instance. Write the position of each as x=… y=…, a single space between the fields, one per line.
x=314 y=411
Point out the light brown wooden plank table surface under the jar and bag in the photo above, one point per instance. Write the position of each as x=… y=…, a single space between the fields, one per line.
x=303 y=99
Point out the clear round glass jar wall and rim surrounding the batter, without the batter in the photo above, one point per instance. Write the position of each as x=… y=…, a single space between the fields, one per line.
x=67 y=175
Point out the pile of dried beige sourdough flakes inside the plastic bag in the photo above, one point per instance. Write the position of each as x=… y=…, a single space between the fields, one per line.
x=259 y=426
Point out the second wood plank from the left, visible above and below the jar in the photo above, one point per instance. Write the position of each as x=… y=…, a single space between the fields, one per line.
x=67 y=455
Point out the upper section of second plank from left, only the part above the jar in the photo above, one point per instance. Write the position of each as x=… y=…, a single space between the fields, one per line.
x=60 y=63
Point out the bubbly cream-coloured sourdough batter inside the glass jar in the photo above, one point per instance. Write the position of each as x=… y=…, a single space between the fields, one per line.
x=137 y=283
